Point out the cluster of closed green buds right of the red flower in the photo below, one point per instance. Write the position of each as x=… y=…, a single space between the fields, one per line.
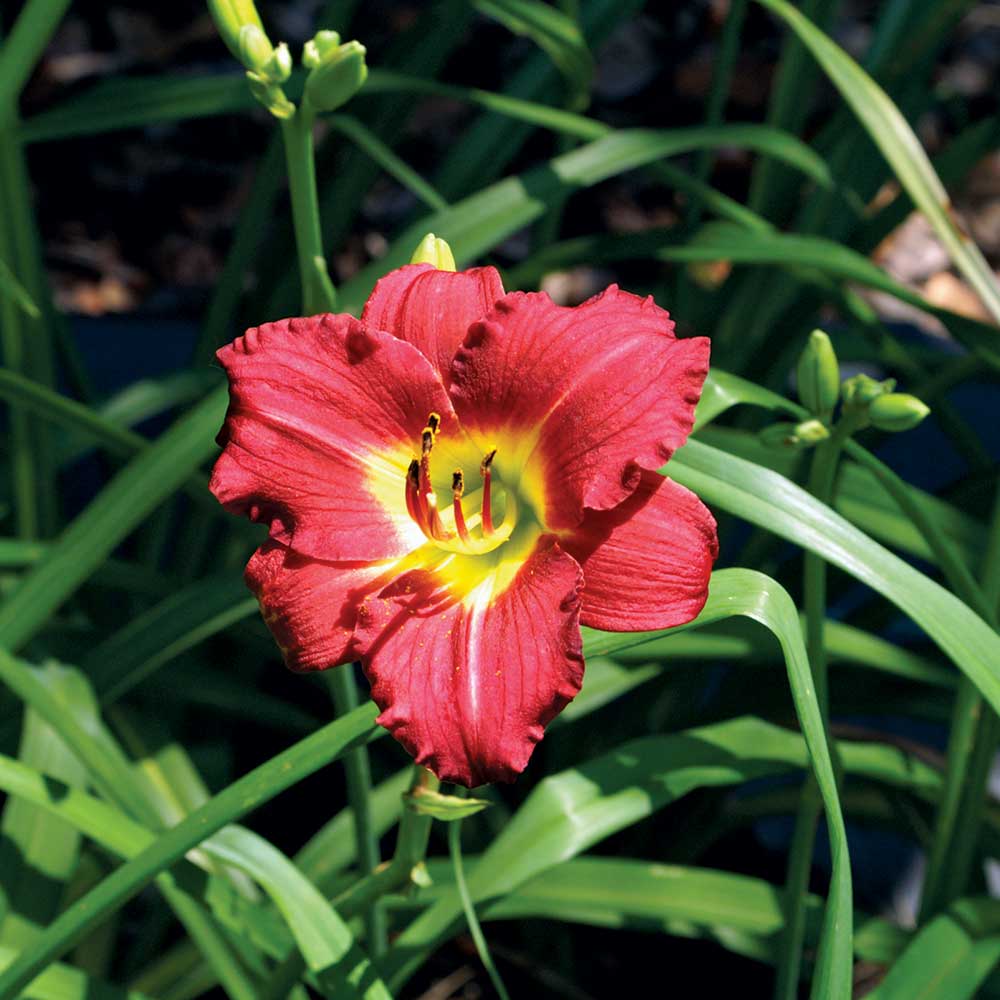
x=865 y=401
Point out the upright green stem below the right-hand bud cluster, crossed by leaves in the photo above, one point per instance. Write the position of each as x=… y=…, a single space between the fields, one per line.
x=822 y=476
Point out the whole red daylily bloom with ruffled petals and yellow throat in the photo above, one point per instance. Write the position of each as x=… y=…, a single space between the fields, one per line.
x=454 y=484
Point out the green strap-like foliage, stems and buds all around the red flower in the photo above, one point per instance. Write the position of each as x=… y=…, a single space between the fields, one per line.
x=182 y=817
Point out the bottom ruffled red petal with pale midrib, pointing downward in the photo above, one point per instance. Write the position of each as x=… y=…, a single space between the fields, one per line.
x=467 y=682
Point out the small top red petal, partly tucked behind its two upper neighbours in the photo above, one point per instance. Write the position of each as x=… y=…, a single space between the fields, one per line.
x=432 y=309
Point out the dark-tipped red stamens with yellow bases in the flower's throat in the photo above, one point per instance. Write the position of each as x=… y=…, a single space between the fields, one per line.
x=422 y=505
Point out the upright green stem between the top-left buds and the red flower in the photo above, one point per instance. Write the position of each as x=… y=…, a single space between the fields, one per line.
x=318 y=293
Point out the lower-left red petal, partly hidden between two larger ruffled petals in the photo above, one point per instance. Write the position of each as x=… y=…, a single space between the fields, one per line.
x=311 y=606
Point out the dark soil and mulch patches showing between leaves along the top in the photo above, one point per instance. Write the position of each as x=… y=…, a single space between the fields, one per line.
x=141 y=219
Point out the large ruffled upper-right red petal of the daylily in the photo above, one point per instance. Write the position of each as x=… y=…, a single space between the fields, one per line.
x=601 y=390
